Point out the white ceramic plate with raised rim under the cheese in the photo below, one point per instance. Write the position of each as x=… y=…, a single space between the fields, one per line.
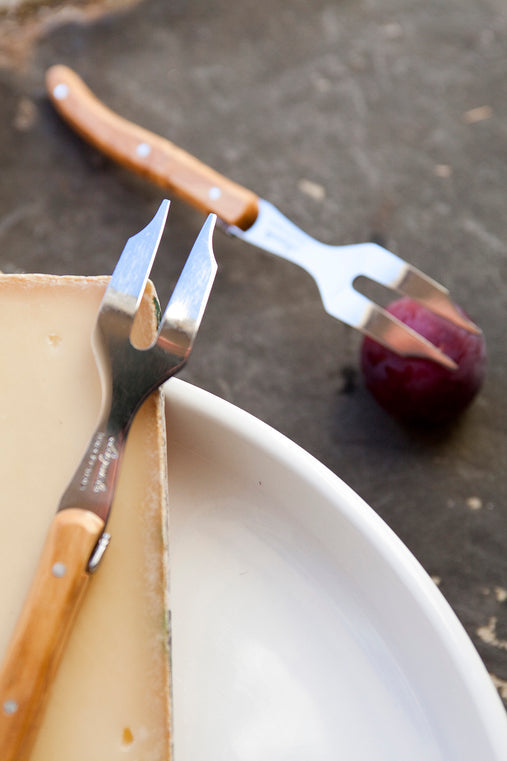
x=303 y=629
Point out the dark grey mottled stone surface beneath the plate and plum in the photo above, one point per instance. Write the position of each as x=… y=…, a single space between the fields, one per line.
x=373 y=119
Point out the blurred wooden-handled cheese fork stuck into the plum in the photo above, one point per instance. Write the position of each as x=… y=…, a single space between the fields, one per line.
x=242 y=214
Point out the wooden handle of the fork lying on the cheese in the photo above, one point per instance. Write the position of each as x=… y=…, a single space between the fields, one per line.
x=42 y=630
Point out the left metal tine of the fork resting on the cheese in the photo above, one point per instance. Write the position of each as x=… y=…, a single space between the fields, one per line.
x=134 y=265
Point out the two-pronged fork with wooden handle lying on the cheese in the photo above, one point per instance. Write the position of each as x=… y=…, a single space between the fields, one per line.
x=77 y=540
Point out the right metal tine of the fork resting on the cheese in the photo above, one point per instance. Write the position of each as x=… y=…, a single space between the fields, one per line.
x=185 y=309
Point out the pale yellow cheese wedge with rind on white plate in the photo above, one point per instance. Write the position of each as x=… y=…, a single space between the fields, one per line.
x=111 y=697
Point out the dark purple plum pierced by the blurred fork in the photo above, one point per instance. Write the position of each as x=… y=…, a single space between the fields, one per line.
x=417 y=390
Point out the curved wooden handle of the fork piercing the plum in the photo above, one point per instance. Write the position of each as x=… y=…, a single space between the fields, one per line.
x=149 y=155
